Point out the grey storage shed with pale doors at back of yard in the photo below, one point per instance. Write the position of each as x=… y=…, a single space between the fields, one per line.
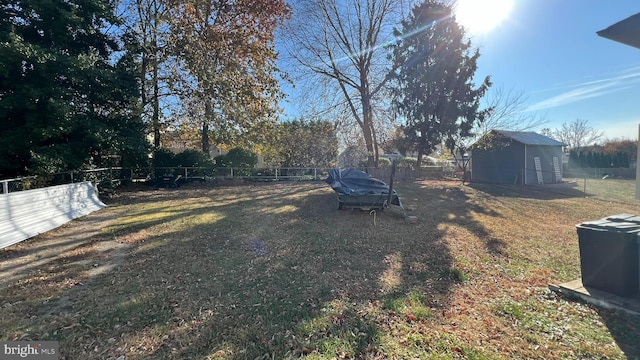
x=516 y=157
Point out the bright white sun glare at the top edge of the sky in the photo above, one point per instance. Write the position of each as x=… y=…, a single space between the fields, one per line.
x=479 y=16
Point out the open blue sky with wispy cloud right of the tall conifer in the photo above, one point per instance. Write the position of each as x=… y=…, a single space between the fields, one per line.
x=549 y=51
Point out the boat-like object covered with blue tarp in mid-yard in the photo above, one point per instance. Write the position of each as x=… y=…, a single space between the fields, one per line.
x=356 y=188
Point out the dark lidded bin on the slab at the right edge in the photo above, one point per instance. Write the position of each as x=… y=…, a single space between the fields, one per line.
x=609 y=254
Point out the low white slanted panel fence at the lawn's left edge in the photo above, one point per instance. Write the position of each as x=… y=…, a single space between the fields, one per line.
x=24 y=214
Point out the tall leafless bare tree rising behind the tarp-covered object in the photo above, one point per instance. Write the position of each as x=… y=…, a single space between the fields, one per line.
x=341 y=41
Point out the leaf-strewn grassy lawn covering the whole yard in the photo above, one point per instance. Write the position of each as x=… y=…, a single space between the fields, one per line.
x=275 y=271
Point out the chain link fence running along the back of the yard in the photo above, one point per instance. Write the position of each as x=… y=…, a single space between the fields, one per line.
x=605 y=186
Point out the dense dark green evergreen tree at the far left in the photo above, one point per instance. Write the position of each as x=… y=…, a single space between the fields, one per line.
x=69 y=96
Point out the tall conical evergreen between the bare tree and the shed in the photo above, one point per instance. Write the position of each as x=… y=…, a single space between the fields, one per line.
x=433 y=83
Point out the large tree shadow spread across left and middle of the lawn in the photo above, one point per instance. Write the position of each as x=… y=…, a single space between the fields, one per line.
x=279 y=273
